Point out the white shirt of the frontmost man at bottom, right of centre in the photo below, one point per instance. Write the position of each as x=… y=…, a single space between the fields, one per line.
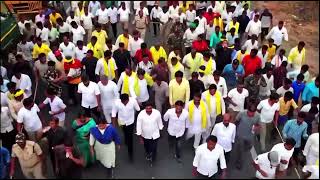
x=206 y=161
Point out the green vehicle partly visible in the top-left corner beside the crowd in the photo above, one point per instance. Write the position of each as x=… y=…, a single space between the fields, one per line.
x=9 y=28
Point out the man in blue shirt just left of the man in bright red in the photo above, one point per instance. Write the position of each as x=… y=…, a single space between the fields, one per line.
x=232 y=72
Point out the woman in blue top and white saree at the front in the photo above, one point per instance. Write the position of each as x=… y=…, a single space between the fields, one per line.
x=103 y=138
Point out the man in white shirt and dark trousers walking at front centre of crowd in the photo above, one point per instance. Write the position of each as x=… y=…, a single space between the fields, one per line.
x=149 y=124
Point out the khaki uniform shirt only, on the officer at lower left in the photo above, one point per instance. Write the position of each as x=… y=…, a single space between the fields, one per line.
x=28 y=156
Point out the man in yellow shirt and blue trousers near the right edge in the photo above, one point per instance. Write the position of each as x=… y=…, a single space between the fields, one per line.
x=286 y=103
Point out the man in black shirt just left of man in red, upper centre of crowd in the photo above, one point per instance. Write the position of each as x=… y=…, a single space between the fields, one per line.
x=122 y=58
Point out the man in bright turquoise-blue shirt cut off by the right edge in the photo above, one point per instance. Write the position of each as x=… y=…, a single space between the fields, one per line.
x=311 y=89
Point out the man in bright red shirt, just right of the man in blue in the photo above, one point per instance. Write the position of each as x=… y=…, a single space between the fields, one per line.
x=251 y=62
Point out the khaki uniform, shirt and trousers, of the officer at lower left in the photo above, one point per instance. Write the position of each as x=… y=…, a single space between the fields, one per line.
x=30 y=164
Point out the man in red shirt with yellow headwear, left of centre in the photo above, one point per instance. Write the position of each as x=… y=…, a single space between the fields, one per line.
x=72 y=69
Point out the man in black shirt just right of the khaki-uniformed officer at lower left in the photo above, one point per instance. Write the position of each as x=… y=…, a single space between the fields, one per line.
x=55 y=135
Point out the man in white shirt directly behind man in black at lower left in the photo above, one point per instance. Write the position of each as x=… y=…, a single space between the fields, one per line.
x=57 y=107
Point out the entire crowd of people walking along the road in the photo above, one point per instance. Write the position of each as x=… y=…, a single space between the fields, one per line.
x=221 y=76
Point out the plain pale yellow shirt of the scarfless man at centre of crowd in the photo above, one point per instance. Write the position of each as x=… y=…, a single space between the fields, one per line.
x=179 y=91
